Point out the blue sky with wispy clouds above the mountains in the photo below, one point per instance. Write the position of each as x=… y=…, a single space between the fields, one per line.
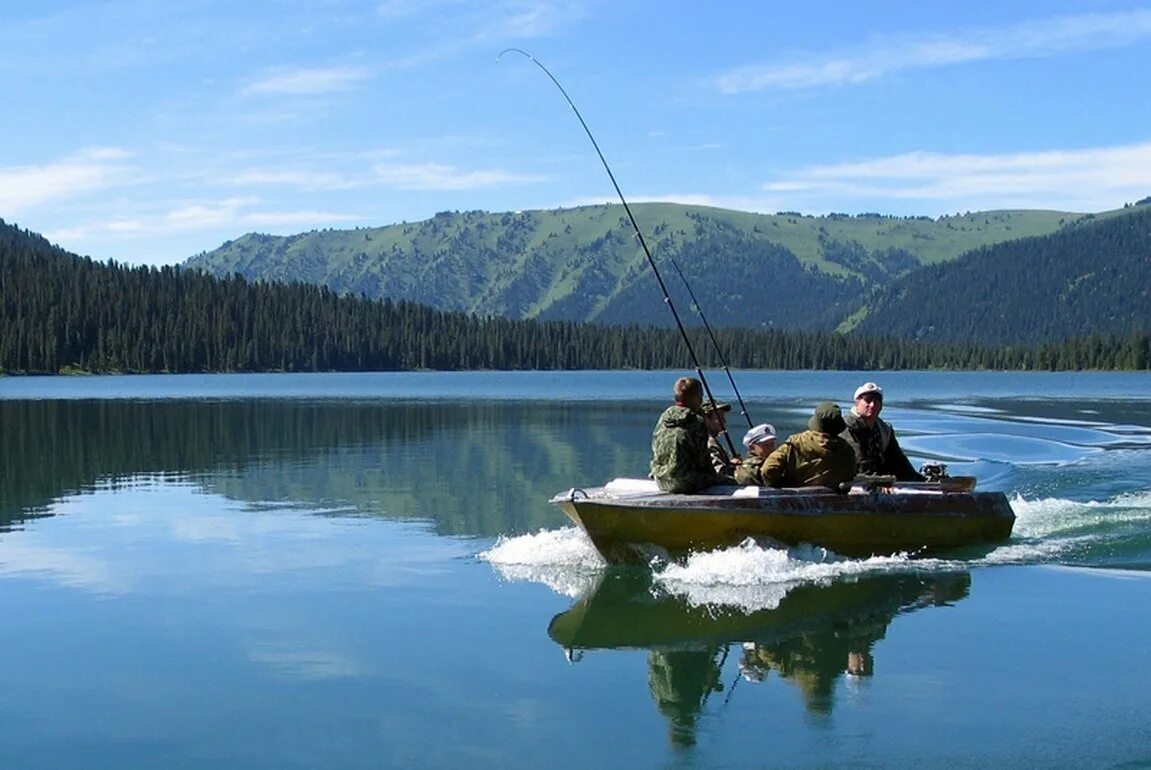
x=148 y=132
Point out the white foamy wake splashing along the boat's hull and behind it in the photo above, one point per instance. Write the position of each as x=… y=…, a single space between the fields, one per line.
x=757 y=576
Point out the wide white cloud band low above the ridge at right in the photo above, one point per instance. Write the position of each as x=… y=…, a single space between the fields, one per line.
x=1096 y=179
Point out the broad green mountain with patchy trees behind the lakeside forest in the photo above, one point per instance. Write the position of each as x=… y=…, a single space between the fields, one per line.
x=783 y=271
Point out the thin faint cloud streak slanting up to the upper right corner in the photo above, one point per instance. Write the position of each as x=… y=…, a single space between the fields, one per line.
x=889 y=55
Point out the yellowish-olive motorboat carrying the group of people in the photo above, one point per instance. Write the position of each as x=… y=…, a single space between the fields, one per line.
x=628 y=520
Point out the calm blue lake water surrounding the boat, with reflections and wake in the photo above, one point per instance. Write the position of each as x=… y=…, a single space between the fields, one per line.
x=364 y=571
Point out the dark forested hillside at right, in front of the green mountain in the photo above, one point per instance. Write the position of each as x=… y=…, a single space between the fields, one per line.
x=1091 y=278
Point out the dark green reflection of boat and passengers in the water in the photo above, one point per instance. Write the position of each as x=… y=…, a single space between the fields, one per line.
x=811 y=637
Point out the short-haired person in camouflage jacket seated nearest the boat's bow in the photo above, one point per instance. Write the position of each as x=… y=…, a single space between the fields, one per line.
x=681 y=460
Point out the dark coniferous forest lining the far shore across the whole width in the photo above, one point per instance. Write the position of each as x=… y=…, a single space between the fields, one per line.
x=65 y=314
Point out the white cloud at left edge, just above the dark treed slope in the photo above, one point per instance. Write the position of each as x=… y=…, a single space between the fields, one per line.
x=96 y=169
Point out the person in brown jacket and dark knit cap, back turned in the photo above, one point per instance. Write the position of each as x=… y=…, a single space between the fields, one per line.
x=818 y=458
